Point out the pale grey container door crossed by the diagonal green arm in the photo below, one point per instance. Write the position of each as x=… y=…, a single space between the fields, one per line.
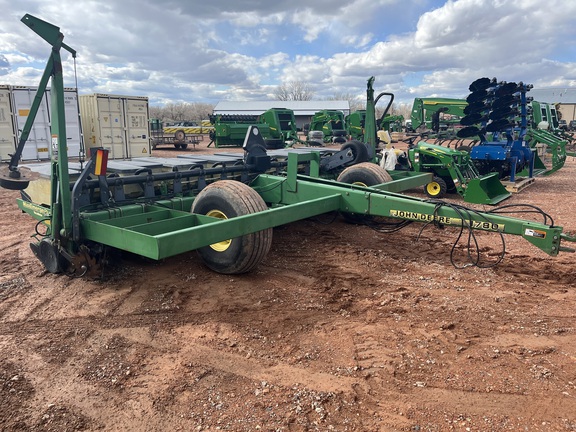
x=39 y=141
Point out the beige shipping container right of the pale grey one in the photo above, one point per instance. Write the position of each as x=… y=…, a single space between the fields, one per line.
x=117 y=123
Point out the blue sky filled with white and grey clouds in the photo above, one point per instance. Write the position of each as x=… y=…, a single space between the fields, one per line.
x=212 y=50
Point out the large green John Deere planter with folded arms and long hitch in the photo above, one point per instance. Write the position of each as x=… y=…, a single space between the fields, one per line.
x=227 y=211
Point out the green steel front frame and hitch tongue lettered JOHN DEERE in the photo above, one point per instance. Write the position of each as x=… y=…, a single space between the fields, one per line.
x=158 y=232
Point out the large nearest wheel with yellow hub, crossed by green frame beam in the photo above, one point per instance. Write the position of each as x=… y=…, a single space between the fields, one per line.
x=228 y=199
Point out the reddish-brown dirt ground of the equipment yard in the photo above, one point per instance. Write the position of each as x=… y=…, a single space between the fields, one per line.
x=341 y=328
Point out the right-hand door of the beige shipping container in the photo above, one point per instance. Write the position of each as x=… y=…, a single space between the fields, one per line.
x=137 y=127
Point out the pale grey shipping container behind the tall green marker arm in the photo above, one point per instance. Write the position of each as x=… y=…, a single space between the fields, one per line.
x=15 y=104
